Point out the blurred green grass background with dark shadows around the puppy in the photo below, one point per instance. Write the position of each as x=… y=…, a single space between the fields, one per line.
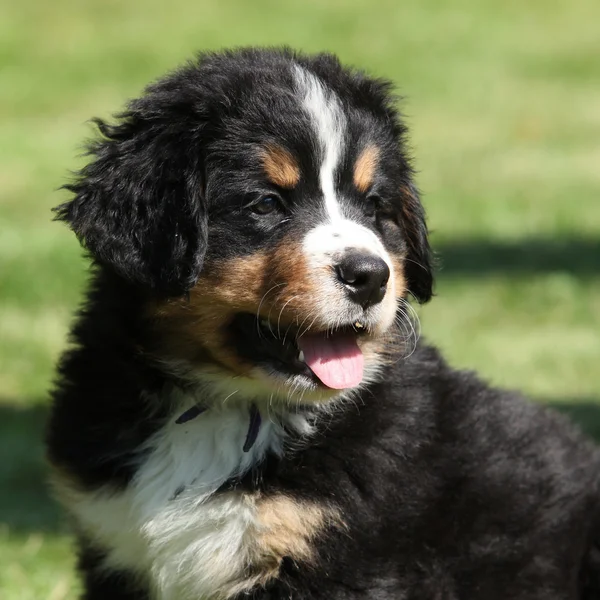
x=503 y=99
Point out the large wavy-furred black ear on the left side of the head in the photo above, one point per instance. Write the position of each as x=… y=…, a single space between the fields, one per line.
x=138 y=205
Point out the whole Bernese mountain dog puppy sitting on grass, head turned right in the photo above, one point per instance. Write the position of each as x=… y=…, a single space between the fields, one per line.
x=244 y=411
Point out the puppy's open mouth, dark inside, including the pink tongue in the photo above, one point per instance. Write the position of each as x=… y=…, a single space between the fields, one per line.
x=329 y=358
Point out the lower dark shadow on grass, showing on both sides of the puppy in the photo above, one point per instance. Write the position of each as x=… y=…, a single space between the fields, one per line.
x=25 y=501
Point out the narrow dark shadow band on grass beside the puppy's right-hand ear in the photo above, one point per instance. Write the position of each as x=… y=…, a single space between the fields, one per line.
x=538 y=255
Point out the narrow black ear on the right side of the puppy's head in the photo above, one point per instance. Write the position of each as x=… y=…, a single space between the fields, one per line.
x=418 y=269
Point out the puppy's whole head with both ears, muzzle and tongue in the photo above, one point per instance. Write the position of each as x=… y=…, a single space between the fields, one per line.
x=264 y=201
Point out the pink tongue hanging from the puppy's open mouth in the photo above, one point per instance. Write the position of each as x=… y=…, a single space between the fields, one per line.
x=337 y=361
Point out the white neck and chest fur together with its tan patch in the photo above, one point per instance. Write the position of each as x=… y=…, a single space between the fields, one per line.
x=182 y=512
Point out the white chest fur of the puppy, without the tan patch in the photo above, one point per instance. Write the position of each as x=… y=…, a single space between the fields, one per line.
x=168 y=526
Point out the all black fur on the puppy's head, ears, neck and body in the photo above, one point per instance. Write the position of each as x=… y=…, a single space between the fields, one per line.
x=450 y=490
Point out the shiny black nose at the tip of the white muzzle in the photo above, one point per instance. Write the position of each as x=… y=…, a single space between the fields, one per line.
x=365 y=277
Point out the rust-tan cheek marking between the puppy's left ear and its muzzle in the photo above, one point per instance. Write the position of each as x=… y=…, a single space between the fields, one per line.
x=280 y=282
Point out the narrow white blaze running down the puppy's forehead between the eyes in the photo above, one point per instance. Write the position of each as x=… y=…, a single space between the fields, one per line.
x=329 y=122
